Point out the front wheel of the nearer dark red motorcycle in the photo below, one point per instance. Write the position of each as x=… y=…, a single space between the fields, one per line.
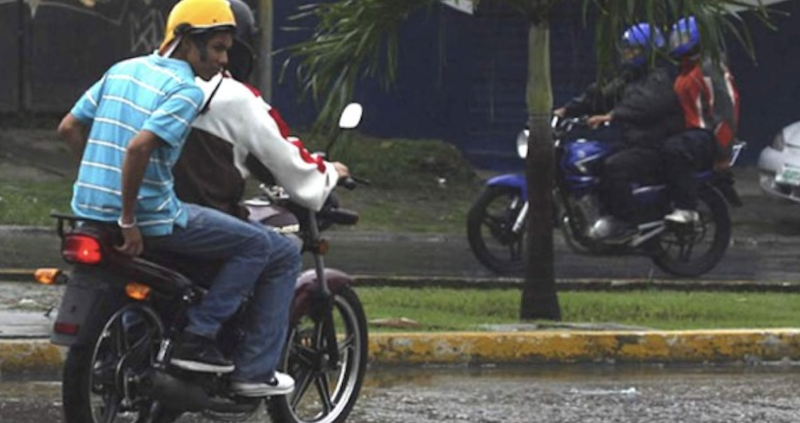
x=325 y=390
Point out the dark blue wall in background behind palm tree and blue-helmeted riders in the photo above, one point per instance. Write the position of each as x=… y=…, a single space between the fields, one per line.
x=462 y=79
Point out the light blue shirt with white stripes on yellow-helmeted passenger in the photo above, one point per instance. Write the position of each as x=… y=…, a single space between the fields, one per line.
x=150 y=93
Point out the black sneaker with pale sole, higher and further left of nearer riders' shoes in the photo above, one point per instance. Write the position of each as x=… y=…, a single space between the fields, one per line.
x=199 y=354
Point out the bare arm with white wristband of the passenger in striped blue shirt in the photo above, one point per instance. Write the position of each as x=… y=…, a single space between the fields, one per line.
x=136 y=158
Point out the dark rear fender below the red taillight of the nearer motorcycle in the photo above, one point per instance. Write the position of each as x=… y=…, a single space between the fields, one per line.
x=91 y=295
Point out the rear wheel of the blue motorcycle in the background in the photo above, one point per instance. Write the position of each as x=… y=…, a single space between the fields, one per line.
x=692 y=250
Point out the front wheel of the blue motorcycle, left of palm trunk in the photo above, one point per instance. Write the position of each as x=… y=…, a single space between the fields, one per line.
x=489 y=230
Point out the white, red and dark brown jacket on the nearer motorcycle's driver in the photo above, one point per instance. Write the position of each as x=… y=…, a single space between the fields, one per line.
x=239 y=135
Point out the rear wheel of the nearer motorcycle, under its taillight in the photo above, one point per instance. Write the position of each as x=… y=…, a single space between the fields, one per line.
x=103 y=378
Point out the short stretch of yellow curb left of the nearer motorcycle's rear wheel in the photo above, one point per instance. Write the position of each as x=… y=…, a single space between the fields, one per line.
x=29 y=355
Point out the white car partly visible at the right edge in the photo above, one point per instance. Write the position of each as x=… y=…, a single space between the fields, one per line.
x=779 y=165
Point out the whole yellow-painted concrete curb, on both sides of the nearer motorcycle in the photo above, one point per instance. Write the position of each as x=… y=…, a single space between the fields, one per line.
x=535 y=347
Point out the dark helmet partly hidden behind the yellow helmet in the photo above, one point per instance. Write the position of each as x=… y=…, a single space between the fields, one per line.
x=241 y=57
